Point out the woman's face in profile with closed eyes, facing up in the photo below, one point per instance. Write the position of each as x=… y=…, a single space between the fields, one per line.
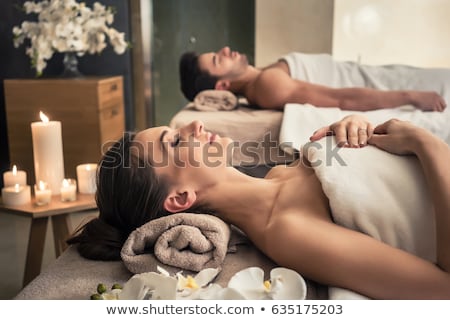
x=186 y=151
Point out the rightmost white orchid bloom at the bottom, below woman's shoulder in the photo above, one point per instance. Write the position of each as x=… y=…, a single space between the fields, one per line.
x=284 y=284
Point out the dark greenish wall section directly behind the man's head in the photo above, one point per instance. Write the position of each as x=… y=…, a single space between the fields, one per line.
x=194 y=25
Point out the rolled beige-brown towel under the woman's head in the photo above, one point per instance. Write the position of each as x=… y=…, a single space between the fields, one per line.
x=187 y=241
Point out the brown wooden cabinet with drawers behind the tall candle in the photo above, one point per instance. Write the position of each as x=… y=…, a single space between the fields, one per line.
x=91 y=111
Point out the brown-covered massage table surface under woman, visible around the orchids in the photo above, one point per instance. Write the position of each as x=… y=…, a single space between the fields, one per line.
x=72 y=277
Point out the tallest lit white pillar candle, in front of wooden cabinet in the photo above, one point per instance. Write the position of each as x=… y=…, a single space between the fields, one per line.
x=48 y=152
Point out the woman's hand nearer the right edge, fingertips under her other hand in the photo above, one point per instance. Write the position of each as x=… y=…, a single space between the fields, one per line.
x=399 y=137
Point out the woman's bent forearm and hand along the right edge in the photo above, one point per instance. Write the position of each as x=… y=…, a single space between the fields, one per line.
x=401 y=137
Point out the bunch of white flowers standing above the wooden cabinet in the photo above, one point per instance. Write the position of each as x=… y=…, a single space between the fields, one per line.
x=67 y=26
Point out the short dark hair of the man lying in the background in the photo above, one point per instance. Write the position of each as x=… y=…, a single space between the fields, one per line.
x=192 y=79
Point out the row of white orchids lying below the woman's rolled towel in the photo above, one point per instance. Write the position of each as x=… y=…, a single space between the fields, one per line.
x=247 y=284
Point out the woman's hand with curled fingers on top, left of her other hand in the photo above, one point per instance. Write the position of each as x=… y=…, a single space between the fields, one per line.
x=352 y=131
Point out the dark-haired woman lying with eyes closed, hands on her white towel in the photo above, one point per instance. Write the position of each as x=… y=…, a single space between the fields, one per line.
x=287 y=216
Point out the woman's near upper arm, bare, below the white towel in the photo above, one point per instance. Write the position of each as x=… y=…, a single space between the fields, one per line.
x=336 y=256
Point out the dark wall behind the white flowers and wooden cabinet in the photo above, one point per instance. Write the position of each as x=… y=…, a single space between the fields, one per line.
x=14 y=63
